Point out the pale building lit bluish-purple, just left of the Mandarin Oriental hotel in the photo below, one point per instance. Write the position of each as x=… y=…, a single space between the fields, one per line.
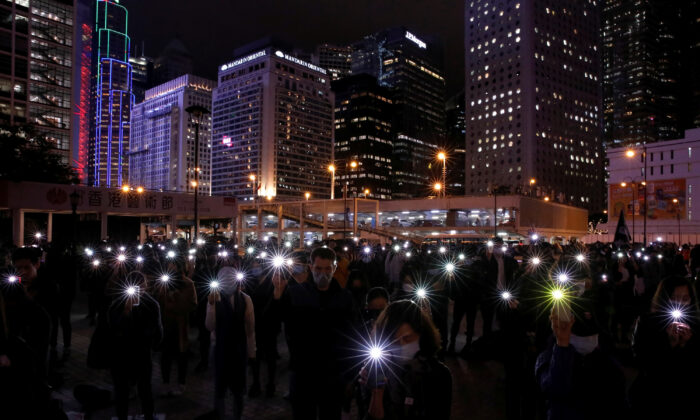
x=162 y=149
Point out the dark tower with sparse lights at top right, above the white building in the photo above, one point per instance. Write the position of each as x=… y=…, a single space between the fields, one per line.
x=641 y=70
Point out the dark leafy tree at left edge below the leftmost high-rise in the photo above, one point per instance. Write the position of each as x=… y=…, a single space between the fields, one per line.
x=27 y=156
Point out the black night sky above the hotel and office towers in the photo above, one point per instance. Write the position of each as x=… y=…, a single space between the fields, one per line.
x=211 y=29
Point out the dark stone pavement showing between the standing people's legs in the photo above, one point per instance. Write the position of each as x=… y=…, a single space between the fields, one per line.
x=478 y=387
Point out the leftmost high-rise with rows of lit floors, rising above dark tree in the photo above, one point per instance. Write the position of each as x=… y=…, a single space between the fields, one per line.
x=36 y=62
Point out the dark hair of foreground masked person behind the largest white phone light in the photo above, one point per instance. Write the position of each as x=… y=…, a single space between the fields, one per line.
x=408 y=312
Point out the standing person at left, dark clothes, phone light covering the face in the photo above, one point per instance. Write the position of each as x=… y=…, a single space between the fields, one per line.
x=135 y=330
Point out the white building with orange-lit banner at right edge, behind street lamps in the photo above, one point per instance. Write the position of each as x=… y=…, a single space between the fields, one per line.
x=672 y=180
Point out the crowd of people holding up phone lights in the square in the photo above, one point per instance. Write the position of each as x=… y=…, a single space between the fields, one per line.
x=369 y=327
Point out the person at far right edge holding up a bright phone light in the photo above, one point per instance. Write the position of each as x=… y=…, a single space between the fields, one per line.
x=666 y=347
